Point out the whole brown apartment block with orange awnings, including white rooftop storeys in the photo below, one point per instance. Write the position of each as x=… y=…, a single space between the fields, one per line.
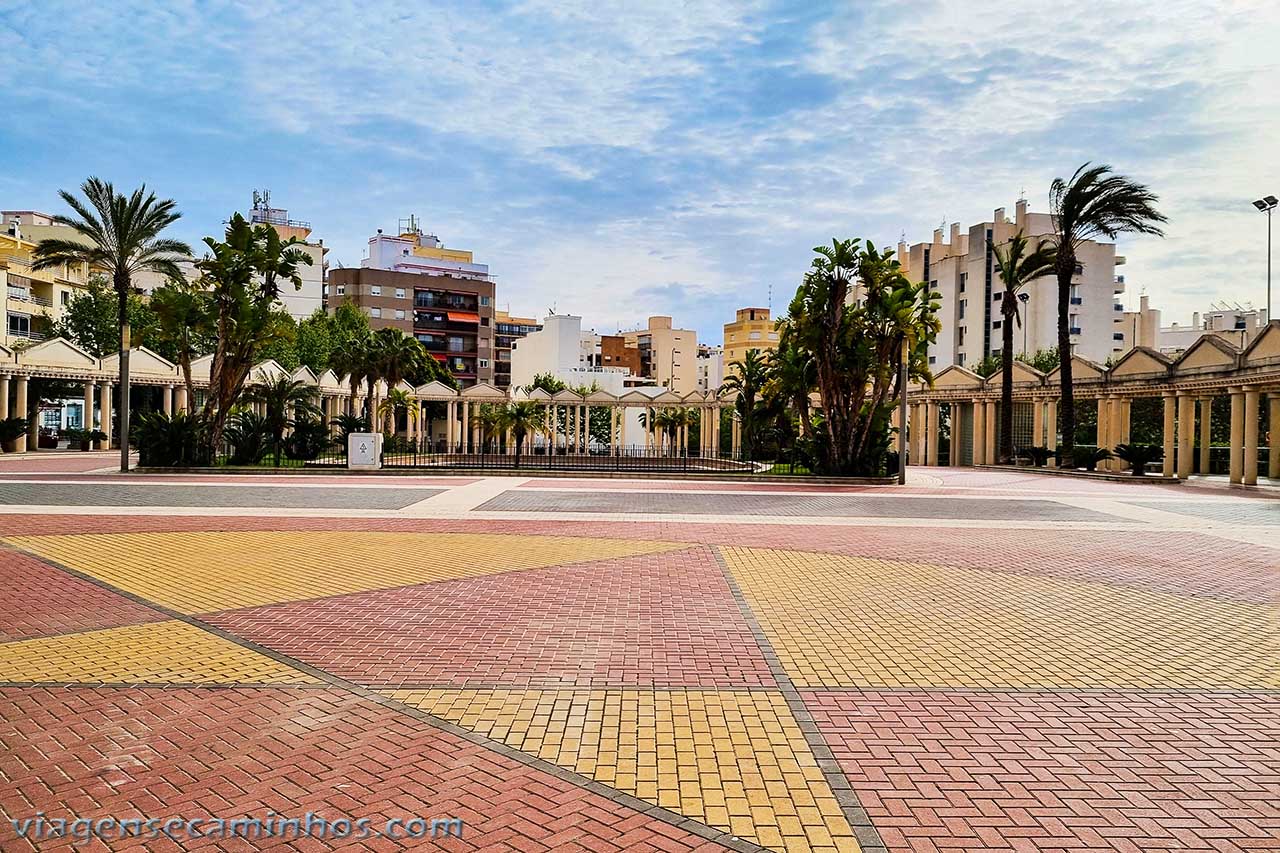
x=438 y=295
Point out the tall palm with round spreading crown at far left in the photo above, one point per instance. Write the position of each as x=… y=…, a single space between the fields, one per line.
x=120 y=235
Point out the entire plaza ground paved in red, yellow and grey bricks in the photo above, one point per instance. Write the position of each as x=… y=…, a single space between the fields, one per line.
x=977 y=662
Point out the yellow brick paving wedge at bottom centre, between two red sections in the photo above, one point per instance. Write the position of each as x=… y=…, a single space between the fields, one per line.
x=734 y=760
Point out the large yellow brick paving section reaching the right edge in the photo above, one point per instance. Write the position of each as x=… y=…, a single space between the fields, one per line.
x=852 y=622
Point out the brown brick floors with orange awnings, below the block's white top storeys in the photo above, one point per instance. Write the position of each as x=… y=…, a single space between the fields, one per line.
x=452 y=317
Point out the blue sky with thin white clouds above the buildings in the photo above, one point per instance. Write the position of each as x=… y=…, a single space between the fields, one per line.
x=657 y=158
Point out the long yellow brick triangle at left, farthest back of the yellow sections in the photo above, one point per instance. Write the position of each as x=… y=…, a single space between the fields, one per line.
x=198 y=573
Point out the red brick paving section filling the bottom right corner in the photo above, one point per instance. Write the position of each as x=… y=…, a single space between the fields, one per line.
x=963 y=770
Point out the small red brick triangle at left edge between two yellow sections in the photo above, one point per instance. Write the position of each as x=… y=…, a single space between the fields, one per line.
x=40 y=601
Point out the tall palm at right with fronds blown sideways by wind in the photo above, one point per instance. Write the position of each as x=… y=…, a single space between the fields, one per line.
x=1095 y=203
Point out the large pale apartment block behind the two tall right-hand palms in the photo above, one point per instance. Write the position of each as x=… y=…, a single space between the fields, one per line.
x=962 y=271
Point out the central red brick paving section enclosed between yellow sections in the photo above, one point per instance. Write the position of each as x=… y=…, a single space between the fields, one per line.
x=655 y=621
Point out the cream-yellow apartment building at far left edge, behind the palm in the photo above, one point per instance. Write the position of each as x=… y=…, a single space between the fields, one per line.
x=33 y=298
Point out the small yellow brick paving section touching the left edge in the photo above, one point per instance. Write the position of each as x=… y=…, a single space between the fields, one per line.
x=153 y=654
